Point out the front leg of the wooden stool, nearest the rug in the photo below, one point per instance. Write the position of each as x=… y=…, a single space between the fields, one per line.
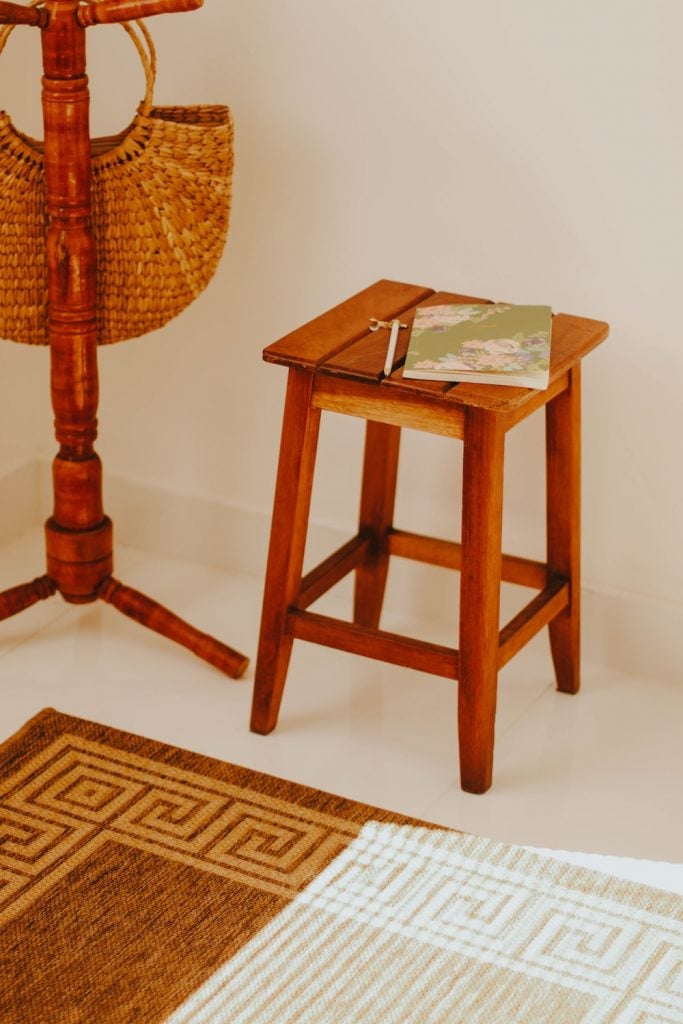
x=480 y=596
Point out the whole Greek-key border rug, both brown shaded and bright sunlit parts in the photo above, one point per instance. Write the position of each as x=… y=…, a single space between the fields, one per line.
x=144 y=885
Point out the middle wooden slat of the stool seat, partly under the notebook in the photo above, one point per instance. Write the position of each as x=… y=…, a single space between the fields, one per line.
x=364 y=361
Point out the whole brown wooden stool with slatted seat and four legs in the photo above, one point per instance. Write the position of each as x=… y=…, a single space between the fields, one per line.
x=335 y=363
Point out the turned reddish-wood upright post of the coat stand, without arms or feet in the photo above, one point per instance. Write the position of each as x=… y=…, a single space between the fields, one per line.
x=79 y=539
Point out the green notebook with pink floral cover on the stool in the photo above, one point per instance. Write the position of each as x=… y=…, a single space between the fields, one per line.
x=492 y=345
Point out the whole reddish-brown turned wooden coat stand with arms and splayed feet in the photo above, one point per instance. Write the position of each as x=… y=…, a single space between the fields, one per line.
x=79 y=536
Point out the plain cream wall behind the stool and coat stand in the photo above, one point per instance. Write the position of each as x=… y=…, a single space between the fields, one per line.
x=531 y=152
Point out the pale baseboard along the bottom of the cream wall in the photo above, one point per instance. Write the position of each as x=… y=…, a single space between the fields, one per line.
x=626 y=631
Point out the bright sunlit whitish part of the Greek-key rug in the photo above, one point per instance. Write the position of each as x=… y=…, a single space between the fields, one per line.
x=410 y=926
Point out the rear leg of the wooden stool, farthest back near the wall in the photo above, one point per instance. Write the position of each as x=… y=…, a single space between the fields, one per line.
x=377 y=500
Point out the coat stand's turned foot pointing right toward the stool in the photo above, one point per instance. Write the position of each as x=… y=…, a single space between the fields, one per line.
x=156 y=617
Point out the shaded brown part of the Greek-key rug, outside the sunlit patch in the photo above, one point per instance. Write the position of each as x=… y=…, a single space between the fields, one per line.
x=132 y=871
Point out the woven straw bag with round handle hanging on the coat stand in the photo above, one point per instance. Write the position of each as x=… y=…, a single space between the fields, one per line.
x=161 y=200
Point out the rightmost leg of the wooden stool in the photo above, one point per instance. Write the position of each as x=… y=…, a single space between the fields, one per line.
x=564 y=511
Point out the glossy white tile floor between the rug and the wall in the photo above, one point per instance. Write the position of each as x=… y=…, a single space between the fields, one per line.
x=600 y=773
